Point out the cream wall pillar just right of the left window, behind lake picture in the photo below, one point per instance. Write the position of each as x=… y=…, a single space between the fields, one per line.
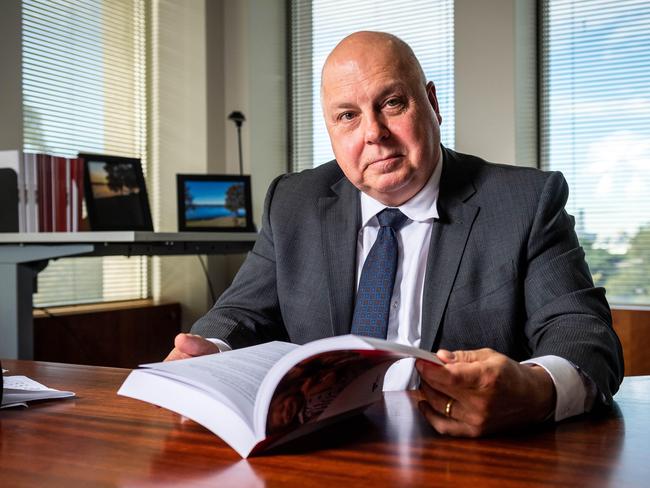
x=178 y=139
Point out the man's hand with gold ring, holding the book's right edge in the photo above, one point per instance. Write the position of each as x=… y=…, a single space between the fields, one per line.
x=482 y=391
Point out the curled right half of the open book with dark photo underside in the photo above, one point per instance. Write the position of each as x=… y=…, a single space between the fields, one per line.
x=304 y=383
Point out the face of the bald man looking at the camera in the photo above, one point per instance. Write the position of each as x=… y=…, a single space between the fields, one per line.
x=383 y=123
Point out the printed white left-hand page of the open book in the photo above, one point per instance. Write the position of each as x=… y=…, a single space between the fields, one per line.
x=234 y=377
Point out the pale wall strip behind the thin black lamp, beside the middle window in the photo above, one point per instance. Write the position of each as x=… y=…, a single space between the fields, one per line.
x=255 y=84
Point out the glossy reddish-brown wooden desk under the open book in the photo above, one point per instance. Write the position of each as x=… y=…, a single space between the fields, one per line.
x=100 y=439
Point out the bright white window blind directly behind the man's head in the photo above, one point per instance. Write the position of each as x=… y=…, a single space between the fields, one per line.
x=318 y=25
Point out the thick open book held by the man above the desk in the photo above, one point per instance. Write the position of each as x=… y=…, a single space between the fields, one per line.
x=258 y=397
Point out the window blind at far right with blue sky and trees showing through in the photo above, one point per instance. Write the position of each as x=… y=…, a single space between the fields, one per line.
x=595 y=128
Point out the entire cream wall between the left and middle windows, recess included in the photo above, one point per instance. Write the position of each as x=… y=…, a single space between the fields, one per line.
x=214 y=57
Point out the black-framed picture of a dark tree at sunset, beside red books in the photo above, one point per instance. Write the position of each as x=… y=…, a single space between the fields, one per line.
x=115 y=193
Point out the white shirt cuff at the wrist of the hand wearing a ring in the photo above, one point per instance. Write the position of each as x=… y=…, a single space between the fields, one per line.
x=572 y=389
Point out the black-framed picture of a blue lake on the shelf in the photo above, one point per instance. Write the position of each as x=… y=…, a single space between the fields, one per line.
x=214 y=203
